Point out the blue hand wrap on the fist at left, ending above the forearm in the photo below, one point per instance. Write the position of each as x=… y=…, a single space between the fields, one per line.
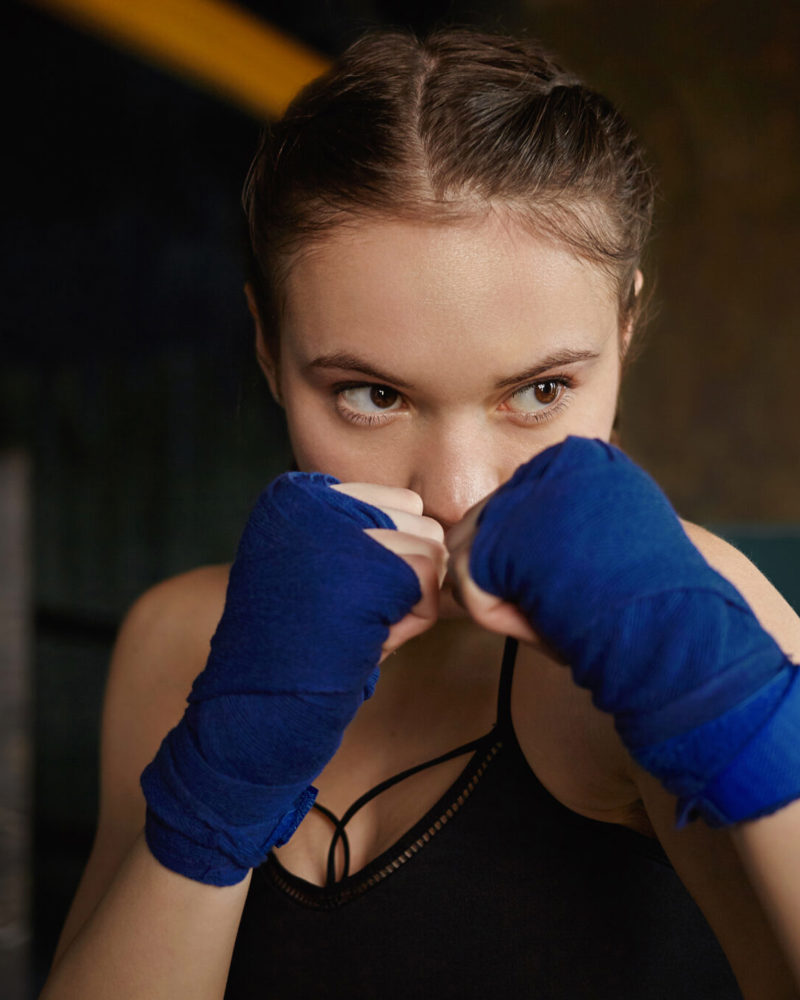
x=309 y=605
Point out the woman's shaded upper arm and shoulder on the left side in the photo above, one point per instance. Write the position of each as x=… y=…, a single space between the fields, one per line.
x=161 y=647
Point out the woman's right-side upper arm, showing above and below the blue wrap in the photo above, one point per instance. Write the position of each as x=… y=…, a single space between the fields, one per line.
x=707 y=860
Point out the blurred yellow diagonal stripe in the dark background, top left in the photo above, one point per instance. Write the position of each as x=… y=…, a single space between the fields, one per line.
x=211 y=41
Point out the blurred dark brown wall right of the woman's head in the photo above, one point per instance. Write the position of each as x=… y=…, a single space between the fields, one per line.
x=712 y=406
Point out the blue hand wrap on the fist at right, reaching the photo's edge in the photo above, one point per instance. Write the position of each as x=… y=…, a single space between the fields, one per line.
x=588 y=547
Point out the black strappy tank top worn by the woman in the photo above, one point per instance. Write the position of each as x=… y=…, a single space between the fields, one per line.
x=497 y=891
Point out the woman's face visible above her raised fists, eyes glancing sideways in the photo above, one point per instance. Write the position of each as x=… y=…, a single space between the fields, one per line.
x=441 y=357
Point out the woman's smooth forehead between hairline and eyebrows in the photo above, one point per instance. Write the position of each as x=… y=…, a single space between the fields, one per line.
x=424 y=292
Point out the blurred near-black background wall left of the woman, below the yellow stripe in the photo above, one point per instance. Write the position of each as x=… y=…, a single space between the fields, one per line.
x=126 y=372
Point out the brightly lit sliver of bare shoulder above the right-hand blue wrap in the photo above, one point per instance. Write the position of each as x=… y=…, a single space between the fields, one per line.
x=774 y=613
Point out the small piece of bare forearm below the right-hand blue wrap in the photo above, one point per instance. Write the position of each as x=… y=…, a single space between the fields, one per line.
x=770 y=850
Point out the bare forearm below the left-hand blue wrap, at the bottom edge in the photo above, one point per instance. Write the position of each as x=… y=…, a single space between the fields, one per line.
x=155 y=934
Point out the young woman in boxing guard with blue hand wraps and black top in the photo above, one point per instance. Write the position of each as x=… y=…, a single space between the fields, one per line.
x=575 y=772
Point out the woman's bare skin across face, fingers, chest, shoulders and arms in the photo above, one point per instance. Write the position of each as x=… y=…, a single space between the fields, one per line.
x=450 y=312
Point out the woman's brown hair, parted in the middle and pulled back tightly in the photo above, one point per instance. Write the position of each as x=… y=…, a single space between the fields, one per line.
x=443 y=129
